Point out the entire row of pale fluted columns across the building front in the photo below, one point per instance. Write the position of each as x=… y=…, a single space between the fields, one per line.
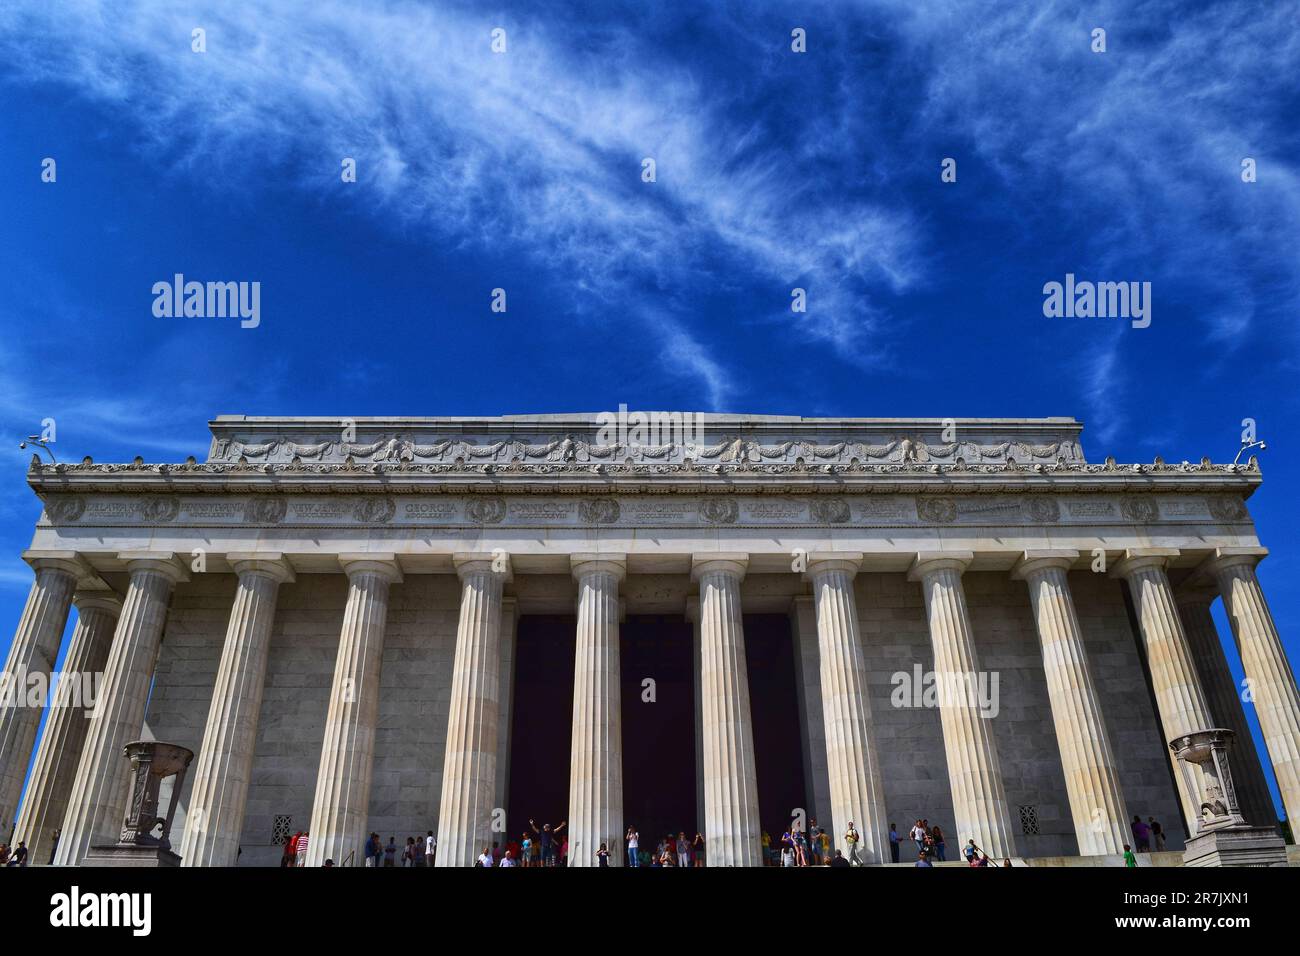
x=81 y=780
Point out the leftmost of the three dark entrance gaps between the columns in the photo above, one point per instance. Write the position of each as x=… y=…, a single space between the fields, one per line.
x=541 y=721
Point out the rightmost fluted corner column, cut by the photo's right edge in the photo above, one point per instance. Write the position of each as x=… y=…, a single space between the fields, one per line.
x=1272 y=682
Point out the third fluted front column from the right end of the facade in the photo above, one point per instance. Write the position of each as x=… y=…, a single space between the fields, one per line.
x=1087 y=758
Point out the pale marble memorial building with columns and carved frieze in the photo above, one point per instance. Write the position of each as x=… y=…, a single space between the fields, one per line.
x=460 y=625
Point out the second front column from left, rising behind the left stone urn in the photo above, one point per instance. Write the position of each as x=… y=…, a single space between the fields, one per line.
x=97 y=806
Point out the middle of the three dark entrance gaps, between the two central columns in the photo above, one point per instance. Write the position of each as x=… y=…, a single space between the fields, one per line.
x=658 y=738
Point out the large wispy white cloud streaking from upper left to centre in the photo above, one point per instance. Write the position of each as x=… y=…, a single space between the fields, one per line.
x=538 y=150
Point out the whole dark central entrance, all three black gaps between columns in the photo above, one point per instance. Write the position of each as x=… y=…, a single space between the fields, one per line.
x=660 y=737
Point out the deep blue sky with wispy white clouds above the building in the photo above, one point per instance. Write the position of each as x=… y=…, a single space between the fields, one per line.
x=774 y=171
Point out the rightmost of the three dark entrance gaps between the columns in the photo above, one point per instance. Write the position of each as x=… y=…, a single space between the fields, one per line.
x=775 y=716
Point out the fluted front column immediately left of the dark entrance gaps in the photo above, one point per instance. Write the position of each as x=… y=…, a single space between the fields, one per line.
x=470 y=765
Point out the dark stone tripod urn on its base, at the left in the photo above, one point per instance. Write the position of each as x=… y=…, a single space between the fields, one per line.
x=151 y=763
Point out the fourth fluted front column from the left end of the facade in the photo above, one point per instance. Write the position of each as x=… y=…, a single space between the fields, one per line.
x=341 y=807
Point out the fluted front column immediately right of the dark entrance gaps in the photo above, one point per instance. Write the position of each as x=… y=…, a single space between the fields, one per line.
x=853 y=765
